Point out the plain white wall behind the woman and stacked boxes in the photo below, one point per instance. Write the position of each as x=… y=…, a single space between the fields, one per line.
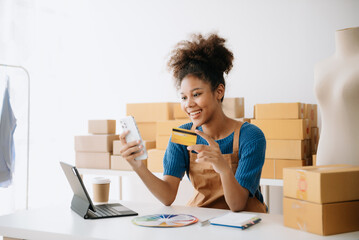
x=88 y=58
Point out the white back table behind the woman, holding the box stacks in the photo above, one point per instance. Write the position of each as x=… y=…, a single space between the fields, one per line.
x=265 y=183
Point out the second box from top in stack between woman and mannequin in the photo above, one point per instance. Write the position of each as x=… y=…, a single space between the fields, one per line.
x=296 y=129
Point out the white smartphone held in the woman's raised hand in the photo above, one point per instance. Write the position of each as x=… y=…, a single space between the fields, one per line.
x=129 y=123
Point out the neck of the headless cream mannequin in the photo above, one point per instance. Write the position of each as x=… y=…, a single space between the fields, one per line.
x=347 y=41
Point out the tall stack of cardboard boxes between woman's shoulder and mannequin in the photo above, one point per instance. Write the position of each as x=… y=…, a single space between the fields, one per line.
x=288 y=134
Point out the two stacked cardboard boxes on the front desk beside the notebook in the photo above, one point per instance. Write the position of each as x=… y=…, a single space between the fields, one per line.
x=323 y=200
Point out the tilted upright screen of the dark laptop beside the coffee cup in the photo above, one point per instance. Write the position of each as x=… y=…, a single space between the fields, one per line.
x=76 y=183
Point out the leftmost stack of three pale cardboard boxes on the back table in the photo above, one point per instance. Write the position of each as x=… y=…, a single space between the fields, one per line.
x=94 y=151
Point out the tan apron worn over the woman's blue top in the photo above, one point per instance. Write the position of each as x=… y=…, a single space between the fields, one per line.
x=207 y=182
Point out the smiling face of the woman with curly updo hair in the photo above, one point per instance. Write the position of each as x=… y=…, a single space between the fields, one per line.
x=199 y=101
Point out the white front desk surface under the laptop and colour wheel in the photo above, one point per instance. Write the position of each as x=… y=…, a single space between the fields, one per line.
x=62 y=223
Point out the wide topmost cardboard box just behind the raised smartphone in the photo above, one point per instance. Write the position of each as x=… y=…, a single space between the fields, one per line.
x=150 y=112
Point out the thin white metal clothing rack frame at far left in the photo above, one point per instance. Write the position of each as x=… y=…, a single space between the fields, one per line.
x=28 y=126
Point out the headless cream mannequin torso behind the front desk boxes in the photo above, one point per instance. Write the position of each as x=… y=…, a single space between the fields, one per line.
x=337 y=92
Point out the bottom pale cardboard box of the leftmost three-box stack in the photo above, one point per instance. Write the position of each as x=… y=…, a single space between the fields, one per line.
x=93 y=160
